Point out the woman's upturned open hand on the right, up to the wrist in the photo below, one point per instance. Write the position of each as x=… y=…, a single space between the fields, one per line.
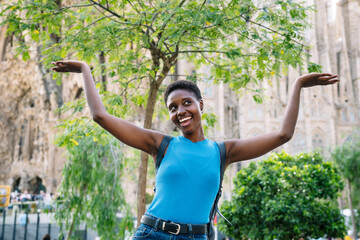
x=314 y=79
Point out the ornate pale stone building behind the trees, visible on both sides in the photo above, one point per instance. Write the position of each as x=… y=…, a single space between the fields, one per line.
x=28 y=99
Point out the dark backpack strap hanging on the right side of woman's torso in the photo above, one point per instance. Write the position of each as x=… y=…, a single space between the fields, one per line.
x=215 y=208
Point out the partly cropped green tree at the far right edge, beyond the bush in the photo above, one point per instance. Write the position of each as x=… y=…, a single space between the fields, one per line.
x=347 y=158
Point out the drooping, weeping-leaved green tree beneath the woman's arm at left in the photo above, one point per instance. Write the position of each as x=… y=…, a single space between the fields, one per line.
x=91 y=189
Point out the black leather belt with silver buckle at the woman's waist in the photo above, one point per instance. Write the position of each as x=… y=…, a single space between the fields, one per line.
x=174 y=228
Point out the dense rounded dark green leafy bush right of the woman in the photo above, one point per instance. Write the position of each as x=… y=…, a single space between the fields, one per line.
x=285 y=197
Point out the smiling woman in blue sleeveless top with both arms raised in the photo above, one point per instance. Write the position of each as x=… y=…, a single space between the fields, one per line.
x=188 y=178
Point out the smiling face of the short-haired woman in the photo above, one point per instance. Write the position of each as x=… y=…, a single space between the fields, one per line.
x=185 y=112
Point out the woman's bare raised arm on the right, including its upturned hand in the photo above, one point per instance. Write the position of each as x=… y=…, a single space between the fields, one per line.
x=244 y=149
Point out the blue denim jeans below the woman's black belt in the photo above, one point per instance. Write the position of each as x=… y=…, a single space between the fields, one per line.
x=144 y=232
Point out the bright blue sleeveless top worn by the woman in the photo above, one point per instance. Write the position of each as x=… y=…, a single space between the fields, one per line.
x=187 y=181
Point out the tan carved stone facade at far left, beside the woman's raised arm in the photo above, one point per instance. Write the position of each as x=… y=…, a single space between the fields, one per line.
x=29 y=159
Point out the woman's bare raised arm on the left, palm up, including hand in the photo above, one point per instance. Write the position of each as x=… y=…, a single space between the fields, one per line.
x=128 y=133
